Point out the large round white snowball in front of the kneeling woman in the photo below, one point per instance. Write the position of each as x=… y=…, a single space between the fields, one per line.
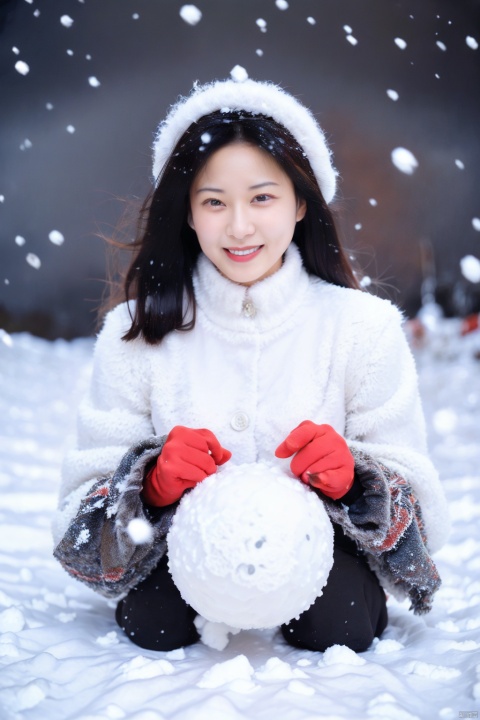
x=250 y=547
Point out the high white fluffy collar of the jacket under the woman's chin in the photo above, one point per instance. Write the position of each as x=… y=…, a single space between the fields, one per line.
x=262 y=306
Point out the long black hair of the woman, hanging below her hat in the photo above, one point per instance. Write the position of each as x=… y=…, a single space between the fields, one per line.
x=160 y=275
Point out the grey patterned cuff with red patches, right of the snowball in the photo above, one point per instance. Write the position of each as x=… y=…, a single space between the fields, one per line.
x=386 y=523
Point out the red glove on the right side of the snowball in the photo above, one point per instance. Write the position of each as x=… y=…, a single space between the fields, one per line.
x=322 y=458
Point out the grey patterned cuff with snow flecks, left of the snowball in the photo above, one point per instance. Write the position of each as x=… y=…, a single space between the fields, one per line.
x=97 y=547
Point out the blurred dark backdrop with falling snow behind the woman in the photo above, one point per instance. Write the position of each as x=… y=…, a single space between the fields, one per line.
x=69 y=149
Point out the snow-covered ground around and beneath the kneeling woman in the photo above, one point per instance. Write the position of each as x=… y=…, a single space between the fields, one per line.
x=63 y=657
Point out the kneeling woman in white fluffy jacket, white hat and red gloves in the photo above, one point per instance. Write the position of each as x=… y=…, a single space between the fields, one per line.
x=245 y=337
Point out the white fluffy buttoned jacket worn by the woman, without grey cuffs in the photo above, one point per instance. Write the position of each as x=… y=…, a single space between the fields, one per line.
x=259 y=361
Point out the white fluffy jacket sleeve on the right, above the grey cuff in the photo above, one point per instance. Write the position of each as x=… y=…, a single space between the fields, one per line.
x=385 y=417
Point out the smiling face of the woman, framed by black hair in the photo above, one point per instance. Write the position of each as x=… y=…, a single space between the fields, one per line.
x=243 y=209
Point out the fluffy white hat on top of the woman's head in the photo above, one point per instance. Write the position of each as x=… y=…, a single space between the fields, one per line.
x=264 y=98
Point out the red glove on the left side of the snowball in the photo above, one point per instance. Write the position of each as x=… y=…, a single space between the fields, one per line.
x=187 y=458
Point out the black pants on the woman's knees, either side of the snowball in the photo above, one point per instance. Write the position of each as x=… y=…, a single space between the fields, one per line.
x=351 y=611
